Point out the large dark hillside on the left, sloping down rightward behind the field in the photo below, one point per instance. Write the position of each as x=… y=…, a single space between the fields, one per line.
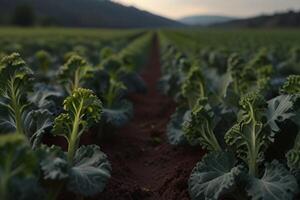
x=85 y=13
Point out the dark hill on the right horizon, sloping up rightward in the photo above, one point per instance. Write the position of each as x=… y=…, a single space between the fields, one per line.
x=289 y=19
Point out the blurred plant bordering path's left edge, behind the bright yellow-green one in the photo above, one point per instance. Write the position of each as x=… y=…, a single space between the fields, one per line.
x=117 y=111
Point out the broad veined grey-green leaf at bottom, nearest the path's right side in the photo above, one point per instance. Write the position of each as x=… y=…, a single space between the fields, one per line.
x=213 y=177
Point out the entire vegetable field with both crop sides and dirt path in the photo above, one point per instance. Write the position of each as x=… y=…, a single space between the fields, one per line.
x=149 y=114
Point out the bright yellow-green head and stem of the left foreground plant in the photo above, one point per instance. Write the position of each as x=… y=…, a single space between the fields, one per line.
x=82 y=109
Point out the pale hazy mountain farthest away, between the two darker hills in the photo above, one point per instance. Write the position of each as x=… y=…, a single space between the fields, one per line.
x=205 y=20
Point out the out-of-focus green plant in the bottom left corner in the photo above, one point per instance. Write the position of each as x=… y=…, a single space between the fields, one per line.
x=18 y=169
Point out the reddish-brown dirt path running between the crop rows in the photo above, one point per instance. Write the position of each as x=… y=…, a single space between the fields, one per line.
x=144 y=165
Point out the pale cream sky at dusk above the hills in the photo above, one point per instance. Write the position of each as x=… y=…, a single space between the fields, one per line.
x=176 y=9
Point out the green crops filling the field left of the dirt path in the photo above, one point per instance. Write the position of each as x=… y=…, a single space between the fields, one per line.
x=57 y=83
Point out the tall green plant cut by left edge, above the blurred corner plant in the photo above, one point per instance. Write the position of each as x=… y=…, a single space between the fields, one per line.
x=18 y=114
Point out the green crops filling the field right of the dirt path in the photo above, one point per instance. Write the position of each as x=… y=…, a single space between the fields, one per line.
x=237 y=95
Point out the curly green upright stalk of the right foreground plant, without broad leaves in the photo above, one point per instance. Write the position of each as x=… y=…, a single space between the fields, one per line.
x=247 y=137
